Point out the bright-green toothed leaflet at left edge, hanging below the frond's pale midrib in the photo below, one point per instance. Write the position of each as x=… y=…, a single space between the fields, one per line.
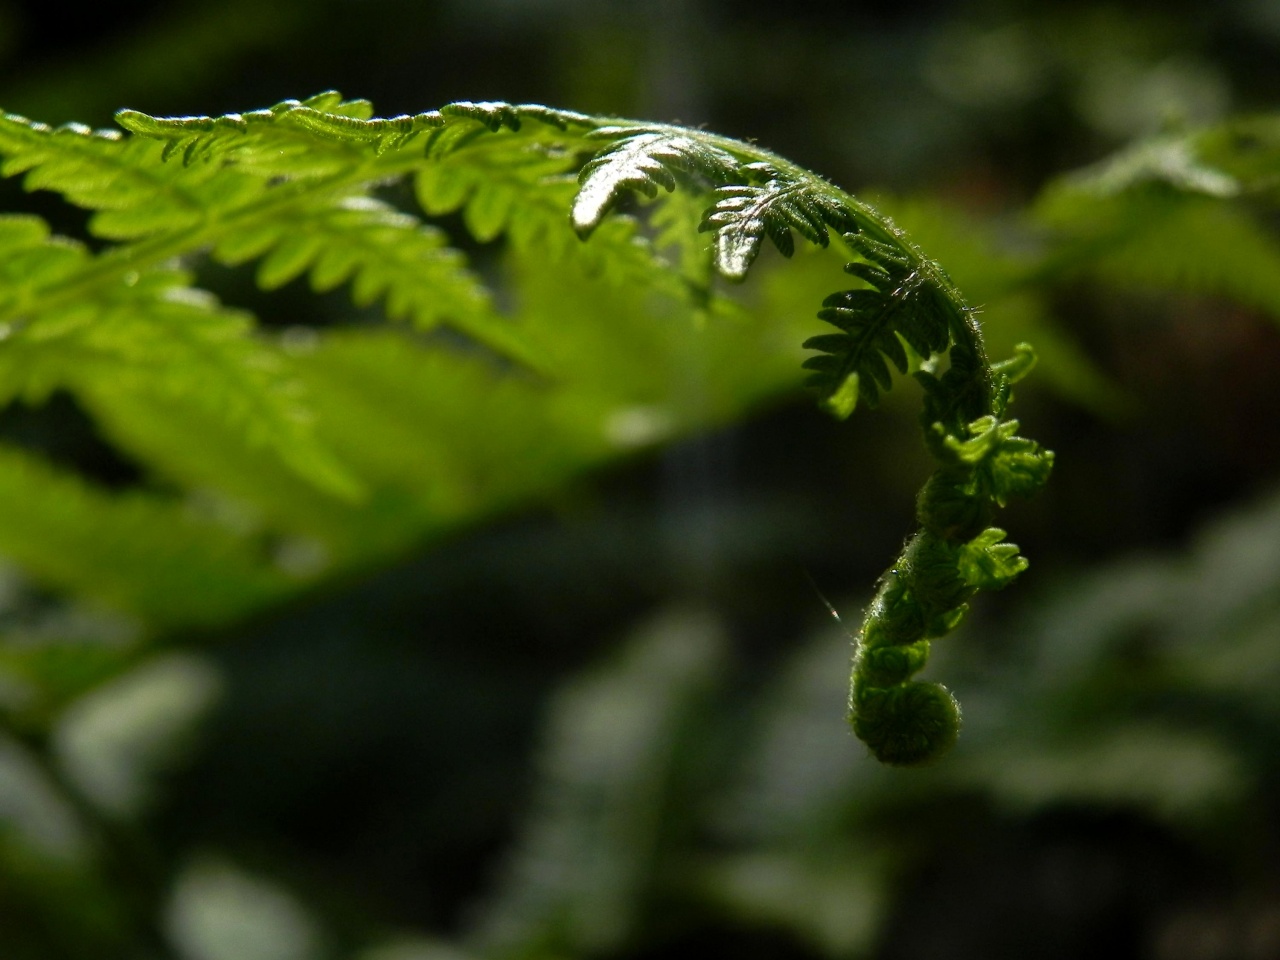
x=152 y=332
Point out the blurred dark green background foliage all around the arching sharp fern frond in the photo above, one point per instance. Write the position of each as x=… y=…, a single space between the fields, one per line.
x=602 y=715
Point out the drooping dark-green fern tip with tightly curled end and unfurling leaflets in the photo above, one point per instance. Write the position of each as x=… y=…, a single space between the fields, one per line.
x=906 y=305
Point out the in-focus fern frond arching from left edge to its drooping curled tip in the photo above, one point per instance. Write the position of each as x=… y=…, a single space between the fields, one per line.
x=291 y=188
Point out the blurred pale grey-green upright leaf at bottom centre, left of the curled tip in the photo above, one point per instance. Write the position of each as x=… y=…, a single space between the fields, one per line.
x=612 y=755
